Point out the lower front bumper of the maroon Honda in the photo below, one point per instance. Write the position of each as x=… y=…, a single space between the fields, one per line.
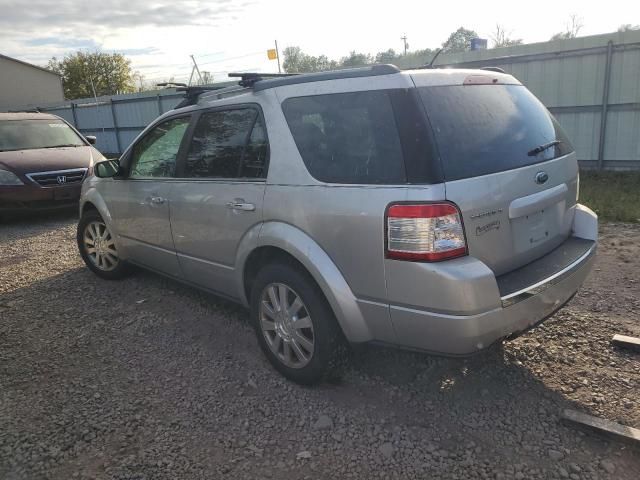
x=31 y=197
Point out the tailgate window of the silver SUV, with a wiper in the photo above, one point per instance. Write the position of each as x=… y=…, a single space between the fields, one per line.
x=483 y=129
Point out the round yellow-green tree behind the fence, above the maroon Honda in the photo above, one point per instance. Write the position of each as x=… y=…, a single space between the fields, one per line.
x=82 y=72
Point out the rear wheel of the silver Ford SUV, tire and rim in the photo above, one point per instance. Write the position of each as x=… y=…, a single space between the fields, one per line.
x=295 y=325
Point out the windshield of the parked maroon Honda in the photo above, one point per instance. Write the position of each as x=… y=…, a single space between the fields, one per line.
x=30 y=134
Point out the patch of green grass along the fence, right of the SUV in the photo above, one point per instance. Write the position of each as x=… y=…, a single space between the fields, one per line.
x=614 y=196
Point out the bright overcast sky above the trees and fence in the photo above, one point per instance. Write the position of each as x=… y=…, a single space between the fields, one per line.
x=224 y=35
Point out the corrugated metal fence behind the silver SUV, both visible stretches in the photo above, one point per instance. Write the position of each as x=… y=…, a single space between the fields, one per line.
x=591 y=84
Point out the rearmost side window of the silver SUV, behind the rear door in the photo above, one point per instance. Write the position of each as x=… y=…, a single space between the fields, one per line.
x=348 y=138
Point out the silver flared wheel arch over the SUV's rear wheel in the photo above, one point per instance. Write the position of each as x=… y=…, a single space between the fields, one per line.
x=280 y=242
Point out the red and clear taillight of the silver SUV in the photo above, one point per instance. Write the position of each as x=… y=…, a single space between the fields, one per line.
x=424 y=232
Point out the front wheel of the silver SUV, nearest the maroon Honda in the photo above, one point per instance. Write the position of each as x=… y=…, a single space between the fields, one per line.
x=97 y=247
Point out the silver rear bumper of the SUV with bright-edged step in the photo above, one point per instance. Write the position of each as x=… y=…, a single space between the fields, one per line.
x=524 y=298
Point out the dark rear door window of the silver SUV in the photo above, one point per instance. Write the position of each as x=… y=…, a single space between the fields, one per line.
x=228 y=144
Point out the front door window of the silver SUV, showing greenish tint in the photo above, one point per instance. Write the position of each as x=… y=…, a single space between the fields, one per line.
x=155 y=155
